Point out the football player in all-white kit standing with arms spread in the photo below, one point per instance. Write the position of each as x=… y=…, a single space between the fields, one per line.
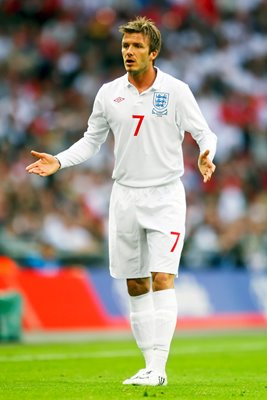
x=148 y=112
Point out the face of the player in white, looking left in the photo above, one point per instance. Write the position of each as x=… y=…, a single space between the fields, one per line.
x=135 y=52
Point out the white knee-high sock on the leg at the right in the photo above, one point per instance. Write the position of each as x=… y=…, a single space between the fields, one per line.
x=165 y=304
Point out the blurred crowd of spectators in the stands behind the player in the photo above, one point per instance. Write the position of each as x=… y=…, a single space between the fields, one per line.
x=54 y=56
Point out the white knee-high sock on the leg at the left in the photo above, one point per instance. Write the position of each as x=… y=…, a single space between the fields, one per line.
x=142 y=323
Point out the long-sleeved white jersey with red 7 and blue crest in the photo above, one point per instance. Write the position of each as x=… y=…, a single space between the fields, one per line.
x=148 y=130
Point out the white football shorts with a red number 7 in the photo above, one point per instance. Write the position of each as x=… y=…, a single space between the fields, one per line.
x=146 y=230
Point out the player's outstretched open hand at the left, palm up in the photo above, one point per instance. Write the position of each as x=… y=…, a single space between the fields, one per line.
x=45 y=165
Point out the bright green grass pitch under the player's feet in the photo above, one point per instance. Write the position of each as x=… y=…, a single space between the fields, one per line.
x=221 y=367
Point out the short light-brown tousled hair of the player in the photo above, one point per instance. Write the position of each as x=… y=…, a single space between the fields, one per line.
x=147 y=28
